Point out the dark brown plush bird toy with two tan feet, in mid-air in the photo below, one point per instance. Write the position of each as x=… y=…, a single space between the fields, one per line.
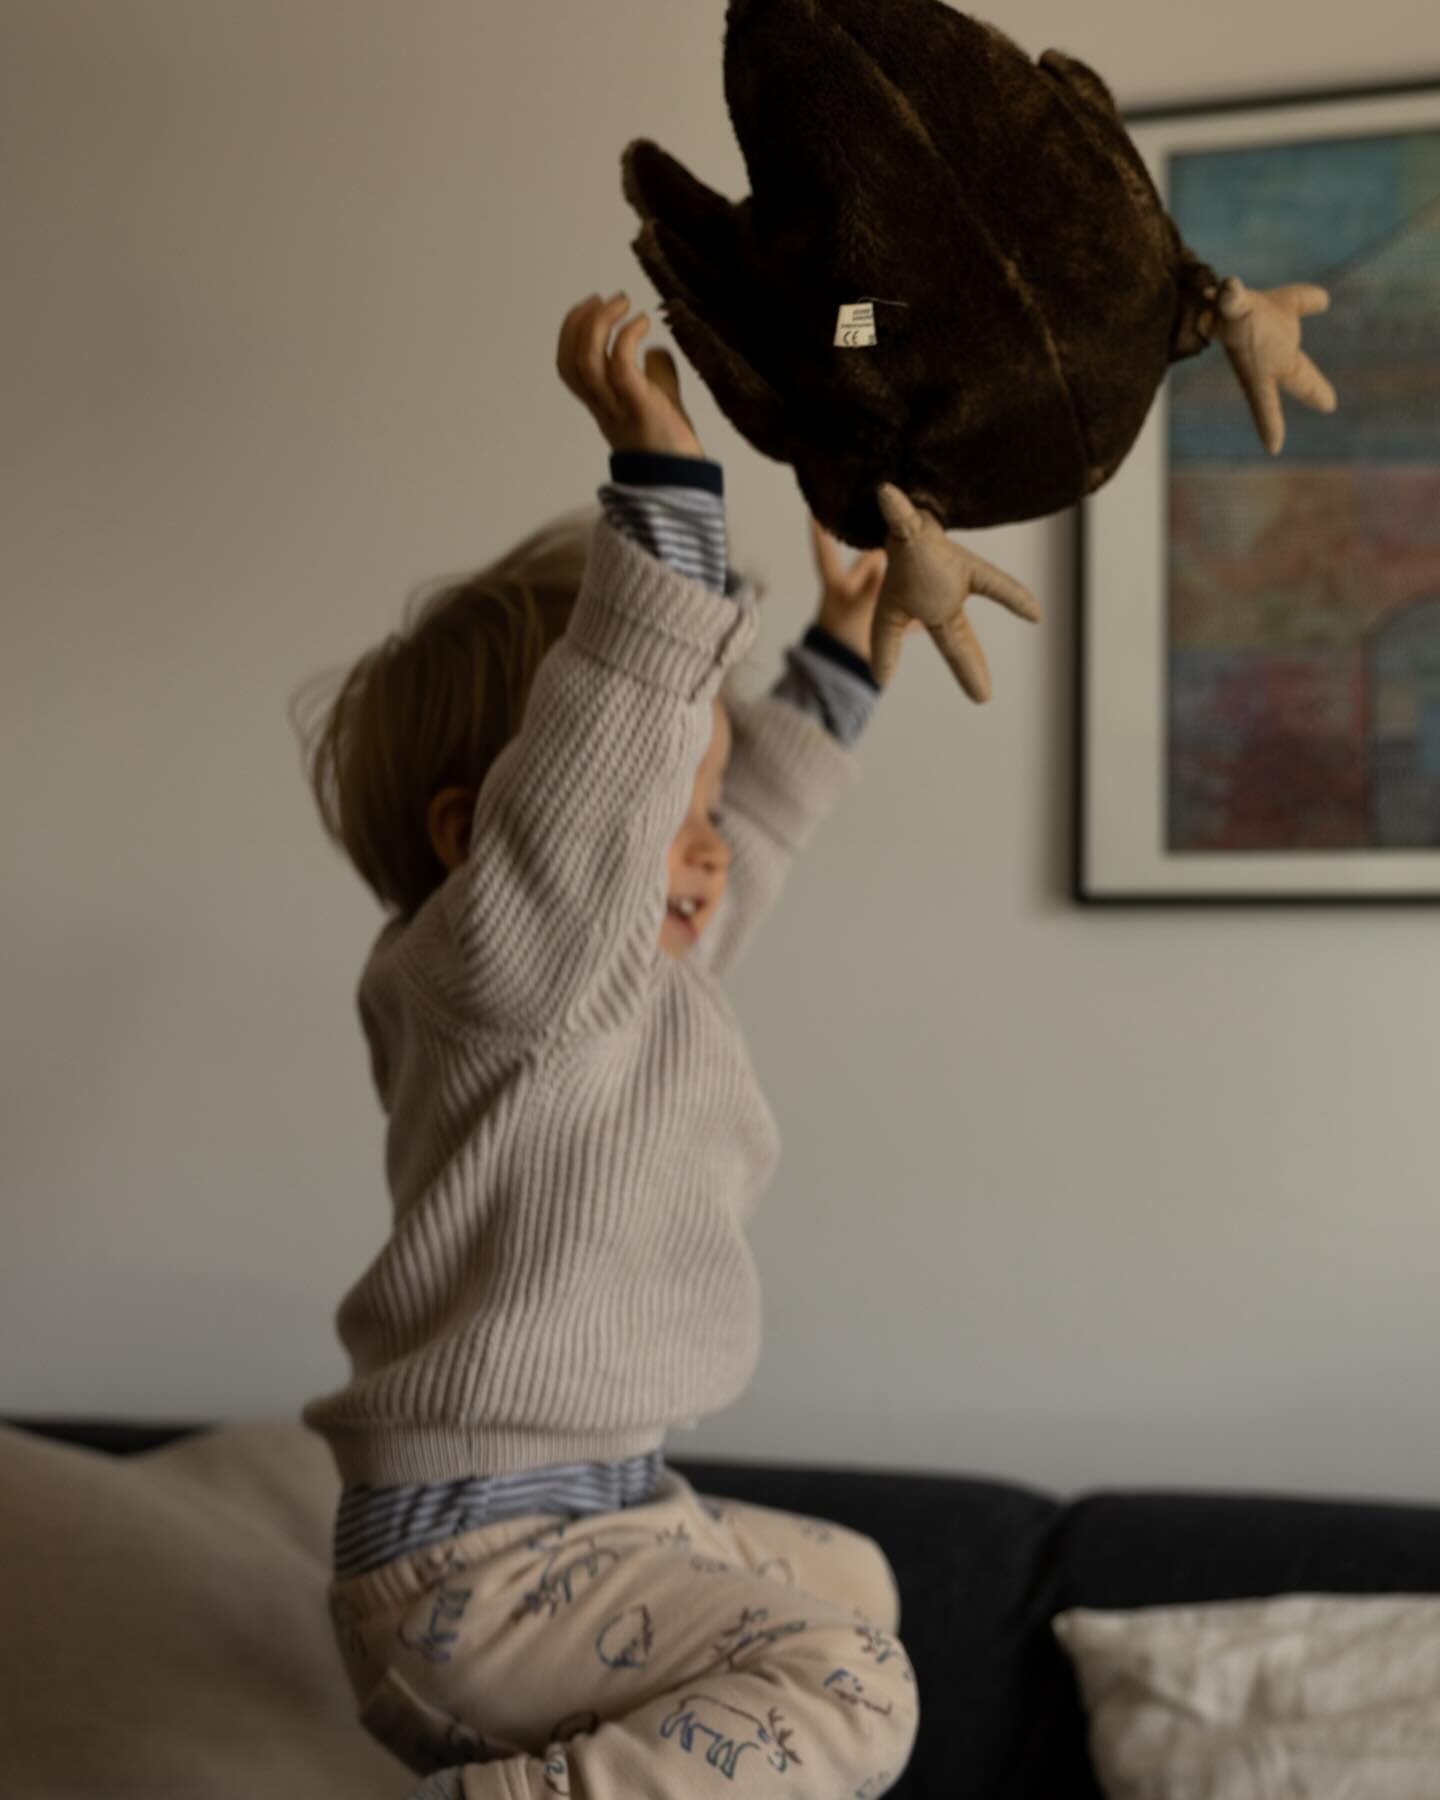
x=951 y=296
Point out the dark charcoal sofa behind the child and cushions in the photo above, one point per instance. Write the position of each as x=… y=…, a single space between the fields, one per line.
x=984 y=1567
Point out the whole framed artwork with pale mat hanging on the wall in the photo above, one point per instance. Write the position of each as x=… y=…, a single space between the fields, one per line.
x=1259 y=674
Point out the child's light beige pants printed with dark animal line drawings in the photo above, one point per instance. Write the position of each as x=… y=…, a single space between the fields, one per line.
x=672 y=1650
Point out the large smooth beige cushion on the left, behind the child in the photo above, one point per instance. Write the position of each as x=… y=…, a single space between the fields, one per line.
x=165 y=1630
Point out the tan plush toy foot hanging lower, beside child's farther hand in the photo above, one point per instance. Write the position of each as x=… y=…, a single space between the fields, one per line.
x=930 y=579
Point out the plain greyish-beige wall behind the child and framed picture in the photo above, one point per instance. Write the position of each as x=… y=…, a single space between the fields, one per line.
x=1070 y=1198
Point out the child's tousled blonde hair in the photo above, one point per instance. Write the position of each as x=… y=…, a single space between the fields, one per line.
x=435 y=705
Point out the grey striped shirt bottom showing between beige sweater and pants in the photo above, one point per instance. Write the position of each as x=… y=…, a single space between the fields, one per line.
x=377 y=1525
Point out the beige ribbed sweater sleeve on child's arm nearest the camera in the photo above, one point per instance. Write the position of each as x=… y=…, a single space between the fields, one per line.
x=552 y=924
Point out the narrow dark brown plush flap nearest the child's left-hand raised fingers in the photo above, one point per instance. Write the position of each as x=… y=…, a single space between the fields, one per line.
x=694 y=251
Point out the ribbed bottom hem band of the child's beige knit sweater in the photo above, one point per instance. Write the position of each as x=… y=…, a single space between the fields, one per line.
x=397 y=1455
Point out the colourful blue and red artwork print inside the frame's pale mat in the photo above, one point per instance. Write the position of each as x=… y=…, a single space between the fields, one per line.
x=1304 y=591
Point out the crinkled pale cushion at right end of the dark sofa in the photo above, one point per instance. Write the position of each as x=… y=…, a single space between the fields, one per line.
x=1304 y=1696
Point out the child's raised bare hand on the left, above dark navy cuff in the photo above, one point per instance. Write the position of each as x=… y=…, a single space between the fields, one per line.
x=634 y=411
